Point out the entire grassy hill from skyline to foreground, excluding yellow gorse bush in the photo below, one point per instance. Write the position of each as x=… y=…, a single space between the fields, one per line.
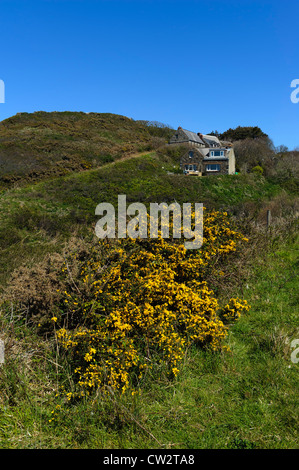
x=242 y=399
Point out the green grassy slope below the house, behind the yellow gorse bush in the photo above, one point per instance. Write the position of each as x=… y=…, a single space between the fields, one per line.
x=39 y=217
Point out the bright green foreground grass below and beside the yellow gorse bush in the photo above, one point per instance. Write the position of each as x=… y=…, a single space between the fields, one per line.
x=243 y=399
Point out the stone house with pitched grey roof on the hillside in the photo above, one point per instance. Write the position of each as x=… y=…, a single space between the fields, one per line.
x=205 y=154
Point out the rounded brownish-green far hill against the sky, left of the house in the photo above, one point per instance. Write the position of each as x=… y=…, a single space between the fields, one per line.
x=35 y=146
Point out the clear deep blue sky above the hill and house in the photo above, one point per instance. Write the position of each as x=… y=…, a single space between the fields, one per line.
x=204 y=65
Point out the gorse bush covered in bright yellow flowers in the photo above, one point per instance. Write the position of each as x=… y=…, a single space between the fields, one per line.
x=138 y=303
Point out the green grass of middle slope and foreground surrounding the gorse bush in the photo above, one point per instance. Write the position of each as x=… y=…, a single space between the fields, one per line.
x=243 y=399
